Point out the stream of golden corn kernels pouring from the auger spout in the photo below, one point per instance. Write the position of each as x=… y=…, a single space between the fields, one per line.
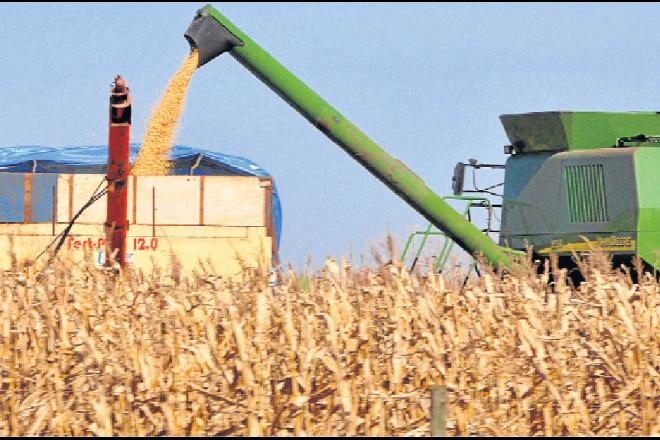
x=160 y=135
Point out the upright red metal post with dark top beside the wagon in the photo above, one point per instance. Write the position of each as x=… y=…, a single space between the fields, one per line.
x=119 y=166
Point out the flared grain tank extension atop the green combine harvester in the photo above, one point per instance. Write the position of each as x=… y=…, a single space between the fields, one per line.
x=566 y=130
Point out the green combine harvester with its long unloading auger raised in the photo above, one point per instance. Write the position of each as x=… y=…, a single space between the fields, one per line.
x=574 y=181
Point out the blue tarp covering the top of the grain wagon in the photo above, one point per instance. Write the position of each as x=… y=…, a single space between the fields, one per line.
x=94 y=159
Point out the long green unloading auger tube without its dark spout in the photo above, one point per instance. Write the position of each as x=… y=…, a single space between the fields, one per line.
x=335 y=126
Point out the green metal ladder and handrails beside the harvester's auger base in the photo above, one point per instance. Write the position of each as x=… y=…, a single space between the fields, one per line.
x=448 y=244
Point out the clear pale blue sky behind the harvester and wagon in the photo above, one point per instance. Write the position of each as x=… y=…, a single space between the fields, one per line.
x=426 y=81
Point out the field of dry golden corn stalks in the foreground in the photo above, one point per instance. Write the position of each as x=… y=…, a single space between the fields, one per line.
x=344 y=351
